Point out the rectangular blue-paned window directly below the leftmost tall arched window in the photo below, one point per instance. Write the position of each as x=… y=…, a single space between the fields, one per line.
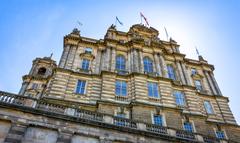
x=121 y=88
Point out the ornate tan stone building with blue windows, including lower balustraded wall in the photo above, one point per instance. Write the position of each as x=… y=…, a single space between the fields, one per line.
x=128 y=87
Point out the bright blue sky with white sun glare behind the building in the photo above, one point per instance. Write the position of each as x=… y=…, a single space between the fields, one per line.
x=35 y=28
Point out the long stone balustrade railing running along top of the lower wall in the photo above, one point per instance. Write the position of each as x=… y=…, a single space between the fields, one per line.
x=12 y=99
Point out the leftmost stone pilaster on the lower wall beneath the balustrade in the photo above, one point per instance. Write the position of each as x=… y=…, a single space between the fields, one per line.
x=15 y=133
